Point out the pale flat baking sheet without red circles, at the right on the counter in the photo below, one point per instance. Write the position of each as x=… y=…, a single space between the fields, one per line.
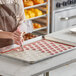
x=64 y=36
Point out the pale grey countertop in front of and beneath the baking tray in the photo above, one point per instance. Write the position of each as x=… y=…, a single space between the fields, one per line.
x=18 y=68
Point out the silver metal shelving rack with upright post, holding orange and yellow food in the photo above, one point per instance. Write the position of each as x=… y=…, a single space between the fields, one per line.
x=46 y=27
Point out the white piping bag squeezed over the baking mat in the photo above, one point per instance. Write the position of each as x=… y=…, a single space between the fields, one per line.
x=26 y=27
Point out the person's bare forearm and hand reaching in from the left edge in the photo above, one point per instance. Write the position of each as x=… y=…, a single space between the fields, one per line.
x=16 y=36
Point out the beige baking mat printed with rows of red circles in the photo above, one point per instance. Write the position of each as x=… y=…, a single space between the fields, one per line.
x=39 y=50
